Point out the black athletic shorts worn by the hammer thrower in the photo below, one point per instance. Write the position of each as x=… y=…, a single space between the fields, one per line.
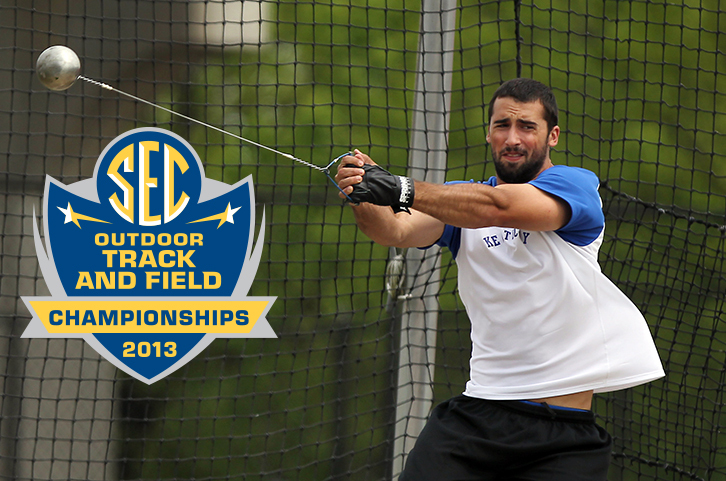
x=473 y=439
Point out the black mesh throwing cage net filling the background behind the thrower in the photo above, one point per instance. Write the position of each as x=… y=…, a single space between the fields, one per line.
x=361 y=357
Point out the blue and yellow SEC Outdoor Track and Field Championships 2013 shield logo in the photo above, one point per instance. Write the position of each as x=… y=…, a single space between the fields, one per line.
x=148 y=261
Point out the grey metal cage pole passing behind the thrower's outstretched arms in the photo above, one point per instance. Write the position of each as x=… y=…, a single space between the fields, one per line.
x=427 y=161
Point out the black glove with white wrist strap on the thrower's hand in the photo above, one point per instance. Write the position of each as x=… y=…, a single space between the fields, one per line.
x=380 y=187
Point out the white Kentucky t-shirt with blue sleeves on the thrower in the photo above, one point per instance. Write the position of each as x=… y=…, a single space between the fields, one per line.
x=545 y=321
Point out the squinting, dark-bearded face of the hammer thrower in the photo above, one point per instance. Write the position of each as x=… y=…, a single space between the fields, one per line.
x=520 y=140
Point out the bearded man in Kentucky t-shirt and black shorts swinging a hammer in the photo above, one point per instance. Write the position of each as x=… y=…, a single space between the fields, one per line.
x=548 y=329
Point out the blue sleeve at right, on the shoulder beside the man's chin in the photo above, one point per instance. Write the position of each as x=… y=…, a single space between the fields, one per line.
x=578 y=187
